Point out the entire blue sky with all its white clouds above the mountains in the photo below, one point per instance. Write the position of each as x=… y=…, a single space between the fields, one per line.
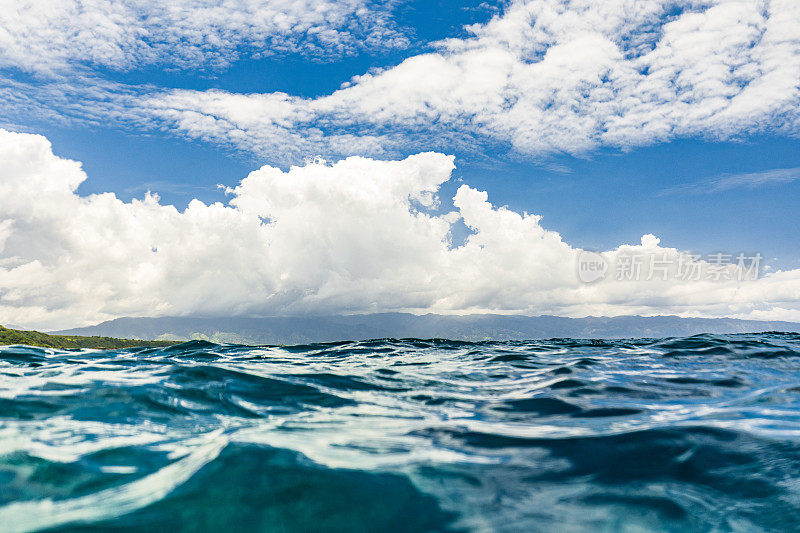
x=314 y=157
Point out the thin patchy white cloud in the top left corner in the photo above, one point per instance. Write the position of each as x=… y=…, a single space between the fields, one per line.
x=51 y=38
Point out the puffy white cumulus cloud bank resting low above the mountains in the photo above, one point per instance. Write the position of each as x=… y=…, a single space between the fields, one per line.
x=360 y=235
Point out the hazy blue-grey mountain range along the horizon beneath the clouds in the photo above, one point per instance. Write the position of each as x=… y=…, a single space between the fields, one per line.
x=305 y=329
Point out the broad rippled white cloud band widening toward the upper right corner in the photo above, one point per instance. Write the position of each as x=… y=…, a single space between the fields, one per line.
x=543 y=77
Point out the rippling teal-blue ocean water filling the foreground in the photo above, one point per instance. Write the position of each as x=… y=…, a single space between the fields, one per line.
x=684 y=434
